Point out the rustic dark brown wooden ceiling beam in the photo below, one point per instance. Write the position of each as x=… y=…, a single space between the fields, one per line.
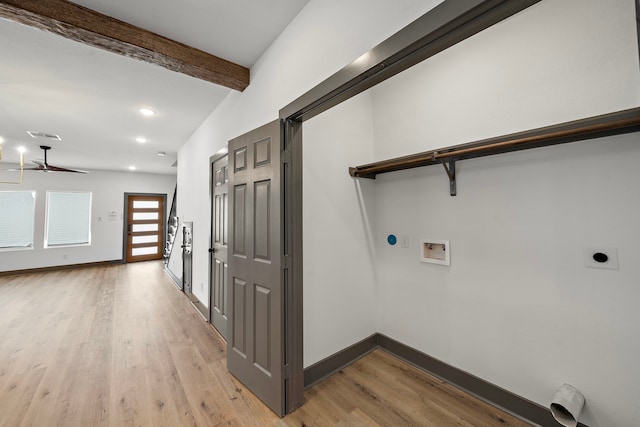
x=87 y=26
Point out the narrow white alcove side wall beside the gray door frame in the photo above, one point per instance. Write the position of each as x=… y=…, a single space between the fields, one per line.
x=338 y=244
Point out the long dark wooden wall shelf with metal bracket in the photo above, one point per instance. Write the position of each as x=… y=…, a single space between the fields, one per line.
x=617 y=123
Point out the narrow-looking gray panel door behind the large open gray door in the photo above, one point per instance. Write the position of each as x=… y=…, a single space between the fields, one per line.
x=219 y=241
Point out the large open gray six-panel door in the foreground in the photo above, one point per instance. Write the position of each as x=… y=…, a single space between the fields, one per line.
x=255 y=300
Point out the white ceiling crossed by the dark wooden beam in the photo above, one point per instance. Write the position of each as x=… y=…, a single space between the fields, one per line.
x=91 y=97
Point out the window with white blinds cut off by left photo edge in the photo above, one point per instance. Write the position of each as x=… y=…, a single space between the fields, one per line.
x=16 y=219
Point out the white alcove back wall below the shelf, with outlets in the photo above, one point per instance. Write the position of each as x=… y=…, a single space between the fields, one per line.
x=517 y=307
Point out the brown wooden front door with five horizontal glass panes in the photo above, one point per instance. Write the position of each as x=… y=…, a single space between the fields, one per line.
x=145 y=227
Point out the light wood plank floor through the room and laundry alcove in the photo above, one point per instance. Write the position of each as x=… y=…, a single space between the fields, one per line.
x=120 y=345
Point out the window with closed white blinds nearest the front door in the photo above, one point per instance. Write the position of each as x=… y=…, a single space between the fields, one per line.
x=68 y=219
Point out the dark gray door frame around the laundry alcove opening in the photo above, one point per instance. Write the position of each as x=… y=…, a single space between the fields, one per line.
x=442 y=27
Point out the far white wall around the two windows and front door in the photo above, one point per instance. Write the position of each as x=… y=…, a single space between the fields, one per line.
x=108 y=190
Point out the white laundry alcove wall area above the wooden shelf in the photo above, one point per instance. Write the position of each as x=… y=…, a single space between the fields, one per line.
x=554 y=62
